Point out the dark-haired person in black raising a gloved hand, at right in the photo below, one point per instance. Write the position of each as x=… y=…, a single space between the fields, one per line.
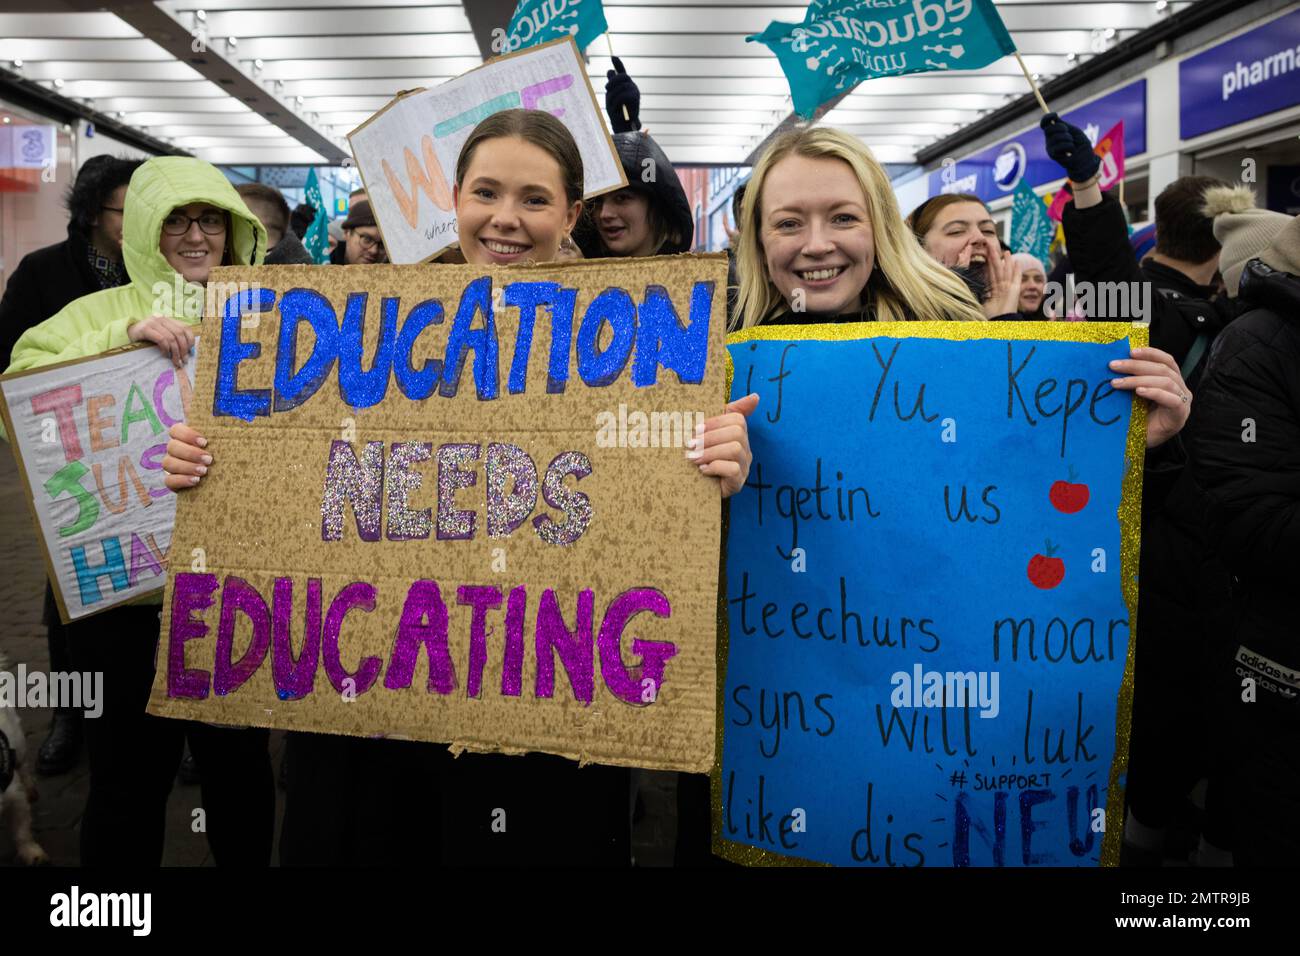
x=1181 y=594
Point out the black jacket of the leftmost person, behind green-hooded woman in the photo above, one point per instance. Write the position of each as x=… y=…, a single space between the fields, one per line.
x=45 y=283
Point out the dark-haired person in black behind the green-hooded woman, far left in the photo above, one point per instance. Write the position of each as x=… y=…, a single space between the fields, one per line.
x=47 y=280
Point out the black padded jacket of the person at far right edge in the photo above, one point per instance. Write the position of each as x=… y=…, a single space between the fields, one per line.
x=1246 y=461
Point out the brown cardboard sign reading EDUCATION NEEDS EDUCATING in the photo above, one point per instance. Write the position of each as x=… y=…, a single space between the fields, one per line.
x=453 y=504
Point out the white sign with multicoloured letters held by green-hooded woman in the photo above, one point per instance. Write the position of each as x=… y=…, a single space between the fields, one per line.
x=90 y=436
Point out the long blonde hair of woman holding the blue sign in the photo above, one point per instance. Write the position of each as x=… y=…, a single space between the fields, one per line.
x=905 y=282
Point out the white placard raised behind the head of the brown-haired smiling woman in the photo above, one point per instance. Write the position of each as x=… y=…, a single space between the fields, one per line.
x=408 y=152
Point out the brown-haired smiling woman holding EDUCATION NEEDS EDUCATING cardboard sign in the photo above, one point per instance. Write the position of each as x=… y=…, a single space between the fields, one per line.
x=518 y=196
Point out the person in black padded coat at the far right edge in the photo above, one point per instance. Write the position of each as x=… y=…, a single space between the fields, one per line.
x=1246 y=462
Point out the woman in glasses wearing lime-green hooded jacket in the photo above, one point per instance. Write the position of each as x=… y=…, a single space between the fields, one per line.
x=181 y=219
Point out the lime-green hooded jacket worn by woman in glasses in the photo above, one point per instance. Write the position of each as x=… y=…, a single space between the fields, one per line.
x=99 y=322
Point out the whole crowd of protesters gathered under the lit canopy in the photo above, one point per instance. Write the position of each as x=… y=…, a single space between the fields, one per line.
x=818 y=239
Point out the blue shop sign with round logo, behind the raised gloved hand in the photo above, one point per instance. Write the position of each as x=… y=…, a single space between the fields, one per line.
x=994 y=174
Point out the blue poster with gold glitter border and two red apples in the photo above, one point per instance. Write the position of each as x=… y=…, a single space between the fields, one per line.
x=931 y=583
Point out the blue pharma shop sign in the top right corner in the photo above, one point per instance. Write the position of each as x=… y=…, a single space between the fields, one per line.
x=1242 y=79
